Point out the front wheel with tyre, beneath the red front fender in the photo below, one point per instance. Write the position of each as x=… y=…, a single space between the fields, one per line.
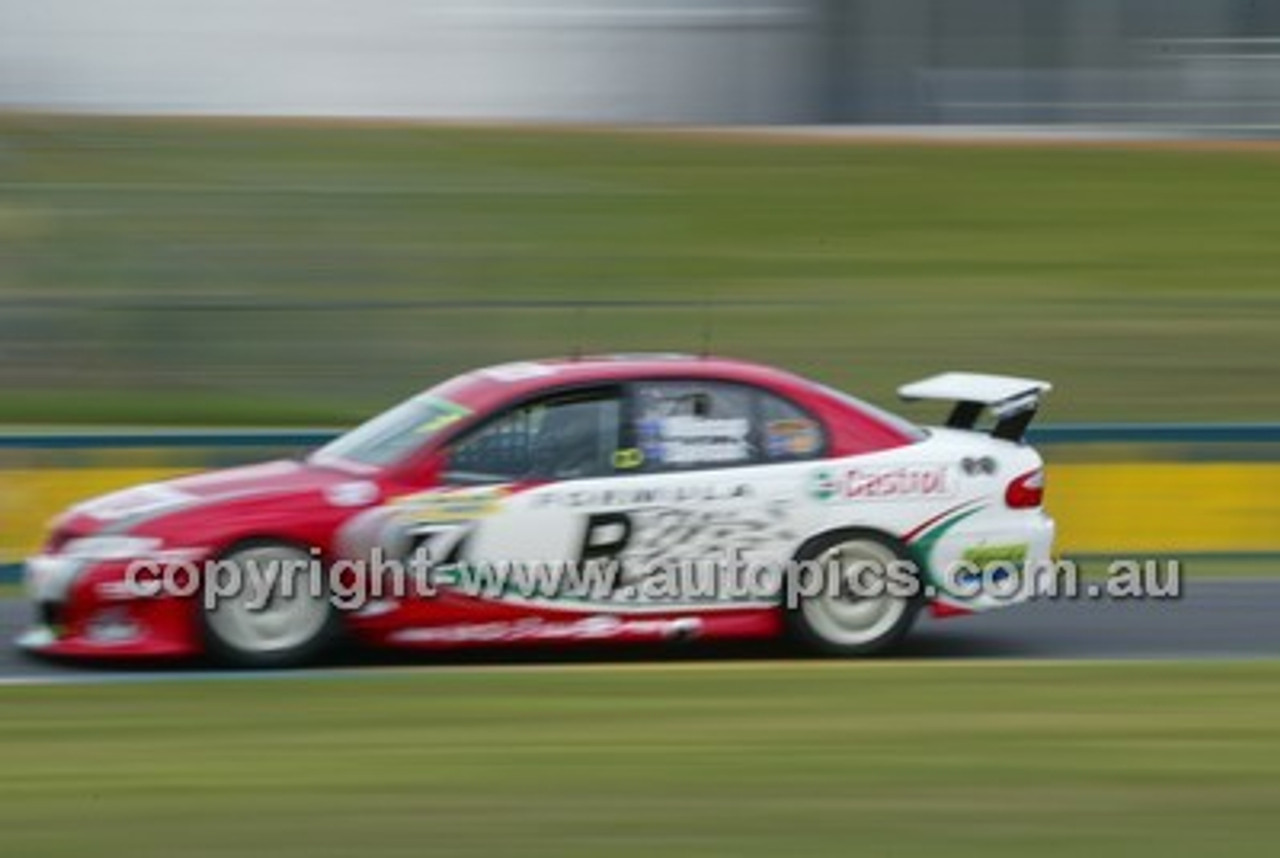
x=287 y=628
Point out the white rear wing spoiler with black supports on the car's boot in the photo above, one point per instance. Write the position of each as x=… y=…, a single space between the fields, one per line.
x=1013 y=401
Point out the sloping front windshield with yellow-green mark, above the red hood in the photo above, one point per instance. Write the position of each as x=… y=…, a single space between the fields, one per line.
x=395 y=433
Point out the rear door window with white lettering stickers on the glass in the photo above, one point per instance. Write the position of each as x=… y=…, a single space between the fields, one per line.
x=684 y=426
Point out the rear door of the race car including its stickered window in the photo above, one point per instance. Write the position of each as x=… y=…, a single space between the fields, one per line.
x=710 y=500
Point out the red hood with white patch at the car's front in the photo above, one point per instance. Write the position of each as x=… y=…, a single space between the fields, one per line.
x=124 y=510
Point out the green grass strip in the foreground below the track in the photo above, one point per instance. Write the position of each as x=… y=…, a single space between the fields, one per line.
x=723 y=760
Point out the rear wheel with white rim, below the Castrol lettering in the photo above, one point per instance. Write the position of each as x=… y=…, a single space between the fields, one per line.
x=838 y=620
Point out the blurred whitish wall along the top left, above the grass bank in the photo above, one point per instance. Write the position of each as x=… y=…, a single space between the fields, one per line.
x=664 y=61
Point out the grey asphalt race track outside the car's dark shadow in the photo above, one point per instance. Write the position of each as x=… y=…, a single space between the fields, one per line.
x=1214 y=619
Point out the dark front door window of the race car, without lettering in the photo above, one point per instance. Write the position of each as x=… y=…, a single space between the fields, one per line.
x=563 y=437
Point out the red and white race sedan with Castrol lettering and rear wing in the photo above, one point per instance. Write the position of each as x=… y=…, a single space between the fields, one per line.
x=611 y=499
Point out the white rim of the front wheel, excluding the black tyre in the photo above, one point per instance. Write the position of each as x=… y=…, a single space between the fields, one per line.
x=290 y=618
